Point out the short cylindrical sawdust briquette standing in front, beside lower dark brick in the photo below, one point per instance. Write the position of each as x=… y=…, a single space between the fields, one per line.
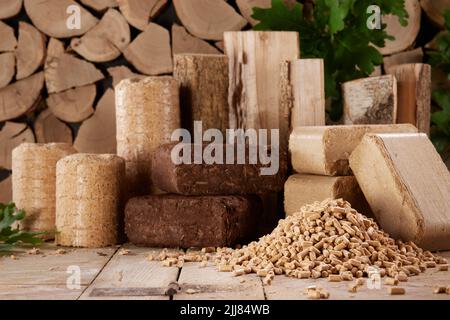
x=89 y=200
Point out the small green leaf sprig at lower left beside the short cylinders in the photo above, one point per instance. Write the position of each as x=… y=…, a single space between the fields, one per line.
x=10 y=236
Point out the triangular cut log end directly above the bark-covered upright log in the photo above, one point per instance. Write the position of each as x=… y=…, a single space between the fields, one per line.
x=183 y=42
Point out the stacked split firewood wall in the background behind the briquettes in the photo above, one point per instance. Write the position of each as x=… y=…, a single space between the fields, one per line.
x=57 y=84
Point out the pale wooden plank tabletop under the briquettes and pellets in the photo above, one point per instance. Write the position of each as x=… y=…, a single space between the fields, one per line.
x=112 y=273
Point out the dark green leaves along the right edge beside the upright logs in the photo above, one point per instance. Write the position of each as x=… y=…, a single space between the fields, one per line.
x=440 y=131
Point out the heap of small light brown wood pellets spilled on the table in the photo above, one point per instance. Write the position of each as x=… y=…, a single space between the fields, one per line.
x=326 y=239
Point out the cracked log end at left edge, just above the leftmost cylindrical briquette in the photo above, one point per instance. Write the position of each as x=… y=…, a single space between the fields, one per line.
x=12 y=135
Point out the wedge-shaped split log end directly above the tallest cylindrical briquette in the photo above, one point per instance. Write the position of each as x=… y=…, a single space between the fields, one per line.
x=150 y=52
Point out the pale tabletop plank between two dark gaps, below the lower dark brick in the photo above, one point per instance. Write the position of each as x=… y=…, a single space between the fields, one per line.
x=132 y=276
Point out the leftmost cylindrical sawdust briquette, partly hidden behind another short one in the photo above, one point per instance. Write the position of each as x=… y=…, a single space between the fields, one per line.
x=34 y=182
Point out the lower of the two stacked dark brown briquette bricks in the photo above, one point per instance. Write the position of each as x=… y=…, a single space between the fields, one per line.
x=191 y=221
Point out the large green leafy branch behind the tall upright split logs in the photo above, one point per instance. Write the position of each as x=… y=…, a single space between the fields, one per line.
x=336 y=32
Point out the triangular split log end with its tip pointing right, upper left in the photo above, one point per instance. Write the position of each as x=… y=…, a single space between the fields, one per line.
x=64 y=71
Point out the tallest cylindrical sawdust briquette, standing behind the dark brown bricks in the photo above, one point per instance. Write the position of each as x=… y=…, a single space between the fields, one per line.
x=147 y=112
